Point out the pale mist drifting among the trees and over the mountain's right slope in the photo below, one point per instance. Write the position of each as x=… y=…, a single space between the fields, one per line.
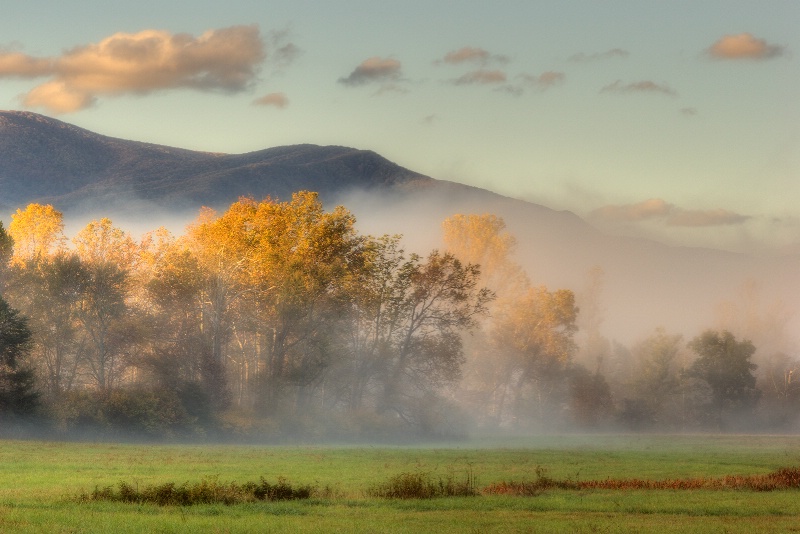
x=628 y=293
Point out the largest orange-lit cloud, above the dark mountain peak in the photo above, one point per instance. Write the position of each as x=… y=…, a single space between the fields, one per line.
x=224 y=60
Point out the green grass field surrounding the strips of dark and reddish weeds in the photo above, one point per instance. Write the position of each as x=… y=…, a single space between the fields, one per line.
x=40 y=483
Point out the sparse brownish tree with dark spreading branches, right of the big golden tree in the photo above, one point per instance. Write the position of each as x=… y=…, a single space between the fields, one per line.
x=426 y=306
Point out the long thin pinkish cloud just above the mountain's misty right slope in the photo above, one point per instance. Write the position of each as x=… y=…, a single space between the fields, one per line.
x=669 y=214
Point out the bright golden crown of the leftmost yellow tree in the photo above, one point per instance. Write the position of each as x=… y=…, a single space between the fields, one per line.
x=37 y=231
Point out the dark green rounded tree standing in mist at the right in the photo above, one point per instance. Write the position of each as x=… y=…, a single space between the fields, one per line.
x=724 y=364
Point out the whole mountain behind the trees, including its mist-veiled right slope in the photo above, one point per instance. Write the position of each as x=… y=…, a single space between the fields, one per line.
x=142 y=186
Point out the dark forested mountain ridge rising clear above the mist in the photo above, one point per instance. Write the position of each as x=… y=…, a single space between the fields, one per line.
x=46 y=160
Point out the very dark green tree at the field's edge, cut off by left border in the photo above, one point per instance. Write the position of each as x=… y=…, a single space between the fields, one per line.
x=18 y=397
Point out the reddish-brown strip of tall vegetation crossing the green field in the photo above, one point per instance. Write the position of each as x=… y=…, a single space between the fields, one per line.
x=784 y=478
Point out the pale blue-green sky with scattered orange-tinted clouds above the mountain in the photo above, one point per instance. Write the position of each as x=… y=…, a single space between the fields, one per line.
x=677 y=121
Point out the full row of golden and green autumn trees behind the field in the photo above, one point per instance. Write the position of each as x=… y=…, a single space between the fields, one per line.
x=279 y=320
